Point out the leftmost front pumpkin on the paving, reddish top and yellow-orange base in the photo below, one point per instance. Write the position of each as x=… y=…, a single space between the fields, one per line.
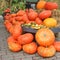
x=13 y=45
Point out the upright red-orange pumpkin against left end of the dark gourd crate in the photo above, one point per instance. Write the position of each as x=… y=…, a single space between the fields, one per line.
x=17 y=31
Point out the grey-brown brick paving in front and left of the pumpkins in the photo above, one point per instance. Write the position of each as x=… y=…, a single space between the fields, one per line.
x=6 y=54
